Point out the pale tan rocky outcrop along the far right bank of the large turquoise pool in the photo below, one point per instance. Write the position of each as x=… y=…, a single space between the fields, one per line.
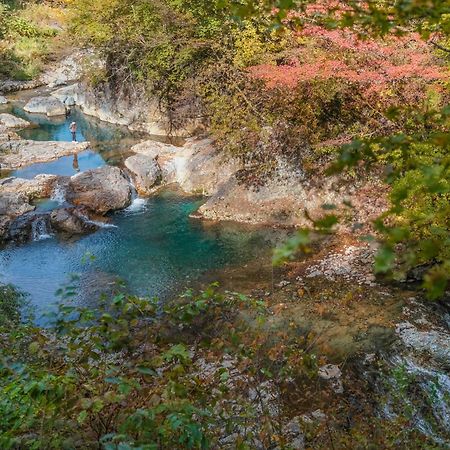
x=199 y=168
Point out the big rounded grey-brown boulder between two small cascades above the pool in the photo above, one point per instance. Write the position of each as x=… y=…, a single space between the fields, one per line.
x=100 y=190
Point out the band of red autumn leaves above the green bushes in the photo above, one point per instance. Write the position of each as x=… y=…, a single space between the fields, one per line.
x=374 y=64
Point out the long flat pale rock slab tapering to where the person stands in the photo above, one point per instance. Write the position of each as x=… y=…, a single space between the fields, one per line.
x=20 y=152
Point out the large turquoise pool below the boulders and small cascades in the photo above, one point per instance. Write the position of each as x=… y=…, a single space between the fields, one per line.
x=156 y=250
